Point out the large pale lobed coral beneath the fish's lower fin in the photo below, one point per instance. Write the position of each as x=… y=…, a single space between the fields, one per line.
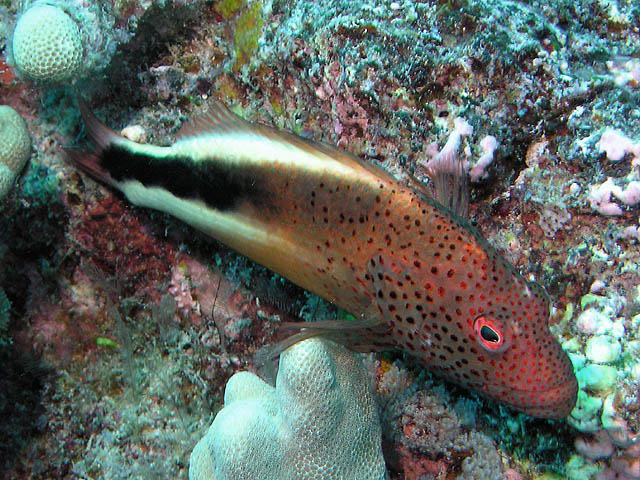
x=318 y=423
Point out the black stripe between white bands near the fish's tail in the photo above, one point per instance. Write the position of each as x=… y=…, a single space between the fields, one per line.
x=220 y=186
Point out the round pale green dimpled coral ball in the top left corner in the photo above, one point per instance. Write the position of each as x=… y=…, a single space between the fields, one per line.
x=47 y=45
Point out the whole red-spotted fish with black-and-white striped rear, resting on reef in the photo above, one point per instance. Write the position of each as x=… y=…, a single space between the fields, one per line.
x=414 y=274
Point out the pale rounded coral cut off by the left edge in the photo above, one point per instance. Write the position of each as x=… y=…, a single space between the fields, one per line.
x=15 y=147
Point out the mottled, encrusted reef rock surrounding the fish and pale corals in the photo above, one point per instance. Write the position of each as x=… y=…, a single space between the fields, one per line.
x=120 y=326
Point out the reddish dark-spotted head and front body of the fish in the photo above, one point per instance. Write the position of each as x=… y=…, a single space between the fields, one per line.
x=431 y=276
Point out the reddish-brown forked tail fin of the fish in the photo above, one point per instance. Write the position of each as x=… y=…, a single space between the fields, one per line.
x=100 y=137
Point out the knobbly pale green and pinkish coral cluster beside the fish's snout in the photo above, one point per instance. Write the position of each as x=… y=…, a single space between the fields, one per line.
x=608 y=379
